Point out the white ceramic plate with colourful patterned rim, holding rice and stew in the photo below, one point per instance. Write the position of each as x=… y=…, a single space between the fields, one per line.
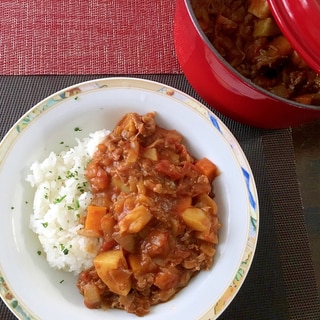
x=30 y=288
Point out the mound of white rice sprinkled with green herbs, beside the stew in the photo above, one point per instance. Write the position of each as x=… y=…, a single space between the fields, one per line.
x=61 y=197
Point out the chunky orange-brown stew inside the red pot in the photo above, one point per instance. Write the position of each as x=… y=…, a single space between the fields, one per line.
x=247 y=36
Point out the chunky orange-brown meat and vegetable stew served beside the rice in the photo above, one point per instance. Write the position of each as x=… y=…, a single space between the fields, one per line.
x=153 y=208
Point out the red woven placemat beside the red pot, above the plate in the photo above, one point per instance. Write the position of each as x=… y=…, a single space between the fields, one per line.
x=87 y=37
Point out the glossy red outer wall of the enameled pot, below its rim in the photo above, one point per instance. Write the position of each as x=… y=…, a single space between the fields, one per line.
x=223 y=87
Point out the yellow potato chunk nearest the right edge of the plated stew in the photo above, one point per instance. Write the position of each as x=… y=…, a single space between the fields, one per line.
x=196 y=219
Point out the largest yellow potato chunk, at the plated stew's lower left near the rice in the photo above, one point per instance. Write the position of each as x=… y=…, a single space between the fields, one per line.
x=111 y=267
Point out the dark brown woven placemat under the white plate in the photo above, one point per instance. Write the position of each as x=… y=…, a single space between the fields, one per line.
x=281 y=282
